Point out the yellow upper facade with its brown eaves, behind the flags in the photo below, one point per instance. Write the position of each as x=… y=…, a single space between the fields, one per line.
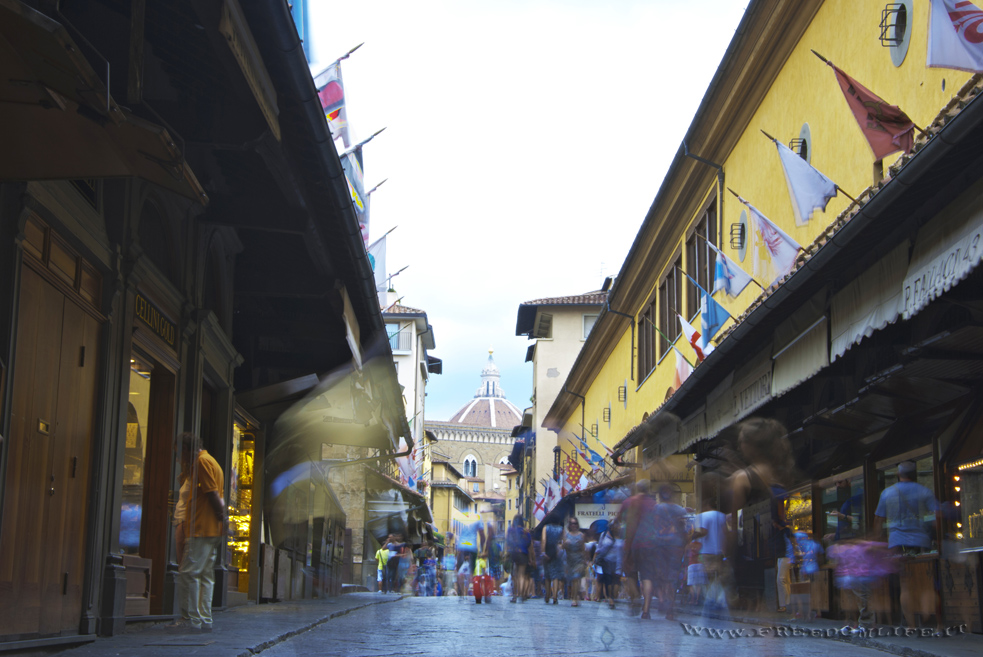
x=769 y=80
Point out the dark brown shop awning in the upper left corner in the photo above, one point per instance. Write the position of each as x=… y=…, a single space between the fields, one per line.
x=60 y=122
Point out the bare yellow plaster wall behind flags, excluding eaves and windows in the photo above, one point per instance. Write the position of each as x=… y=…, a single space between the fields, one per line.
x=804 y=91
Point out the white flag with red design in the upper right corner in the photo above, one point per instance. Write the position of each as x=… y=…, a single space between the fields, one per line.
x=955 y=36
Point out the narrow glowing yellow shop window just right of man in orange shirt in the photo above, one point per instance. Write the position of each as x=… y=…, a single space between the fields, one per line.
x=241 y=501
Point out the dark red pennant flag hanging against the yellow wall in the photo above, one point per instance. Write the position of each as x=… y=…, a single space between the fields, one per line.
x=885 y=126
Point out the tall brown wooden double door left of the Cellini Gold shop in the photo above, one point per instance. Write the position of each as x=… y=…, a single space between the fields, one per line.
x=47 y=479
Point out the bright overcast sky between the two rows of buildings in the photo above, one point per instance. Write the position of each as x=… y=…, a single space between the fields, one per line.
x=525 y=141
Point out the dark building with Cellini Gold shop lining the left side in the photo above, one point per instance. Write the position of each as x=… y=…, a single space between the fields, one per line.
x=178 y=252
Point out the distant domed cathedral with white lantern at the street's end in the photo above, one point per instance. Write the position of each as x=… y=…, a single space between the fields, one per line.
x=479 y=436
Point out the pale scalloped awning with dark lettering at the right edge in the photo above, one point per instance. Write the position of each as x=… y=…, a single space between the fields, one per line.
x=943 y=262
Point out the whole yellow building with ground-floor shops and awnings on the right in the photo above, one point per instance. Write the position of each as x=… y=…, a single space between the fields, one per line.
x=863 y=337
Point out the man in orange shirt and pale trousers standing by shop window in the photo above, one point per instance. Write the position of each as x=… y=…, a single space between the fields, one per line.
x=204 y=528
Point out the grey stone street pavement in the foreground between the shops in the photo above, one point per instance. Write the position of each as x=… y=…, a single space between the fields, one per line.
x=452 y=626
